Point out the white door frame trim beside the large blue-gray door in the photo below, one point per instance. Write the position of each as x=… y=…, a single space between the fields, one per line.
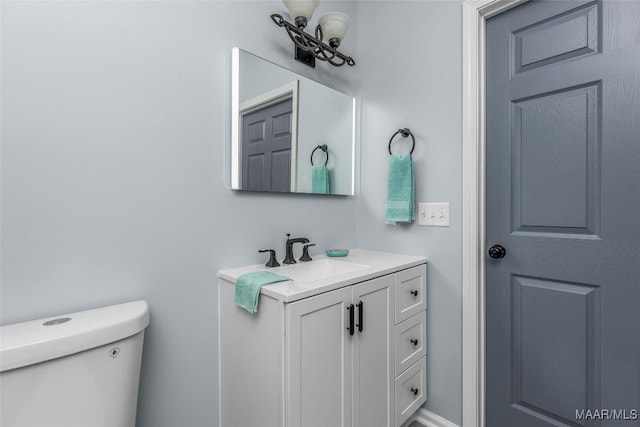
x=474 y=16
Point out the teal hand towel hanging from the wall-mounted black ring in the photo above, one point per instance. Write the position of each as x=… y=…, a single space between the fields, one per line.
x=401 y=206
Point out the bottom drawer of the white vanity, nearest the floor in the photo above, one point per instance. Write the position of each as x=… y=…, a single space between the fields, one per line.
x=411 y=391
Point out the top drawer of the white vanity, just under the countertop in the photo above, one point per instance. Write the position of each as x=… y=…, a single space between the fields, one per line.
x=410 y=292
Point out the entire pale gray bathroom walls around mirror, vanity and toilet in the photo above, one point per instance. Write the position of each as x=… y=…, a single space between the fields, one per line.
x=113 y=117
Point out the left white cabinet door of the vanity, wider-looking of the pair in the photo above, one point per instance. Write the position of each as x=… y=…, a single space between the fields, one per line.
x=319 y=354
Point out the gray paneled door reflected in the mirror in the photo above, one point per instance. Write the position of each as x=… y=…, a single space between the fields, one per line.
x=266 y=147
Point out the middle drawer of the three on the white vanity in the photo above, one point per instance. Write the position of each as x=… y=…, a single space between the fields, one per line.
x=410 y=341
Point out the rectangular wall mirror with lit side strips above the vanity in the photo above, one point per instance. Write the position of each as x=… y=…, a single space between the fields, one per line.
x=289 y=134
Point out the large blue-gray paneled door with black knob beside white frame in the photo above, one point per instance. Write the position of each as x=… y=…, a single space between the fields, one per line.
x=563 y=199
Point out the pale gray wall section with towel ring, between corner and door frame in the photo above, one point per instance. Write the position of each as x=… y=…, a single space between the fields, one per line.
x=413 y=79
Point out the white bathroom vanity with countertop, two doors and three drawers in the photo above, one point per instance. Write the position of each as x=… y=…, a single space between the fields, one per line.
x=341 y=344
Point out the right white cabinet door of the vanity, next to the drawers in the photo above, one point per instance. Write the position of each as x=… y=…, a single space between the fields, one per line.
x=372 y=359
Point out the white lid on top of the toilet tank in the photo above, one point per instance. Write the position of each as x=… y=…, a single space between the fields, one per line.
x=35 y=341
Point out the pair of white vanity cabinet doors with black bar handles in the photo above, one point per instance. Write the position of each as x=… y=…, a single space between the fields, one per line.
x=338 y=374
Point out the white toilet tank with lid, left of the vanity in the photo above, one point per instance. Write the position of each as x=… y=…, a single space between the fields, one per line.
x=79 y=369
